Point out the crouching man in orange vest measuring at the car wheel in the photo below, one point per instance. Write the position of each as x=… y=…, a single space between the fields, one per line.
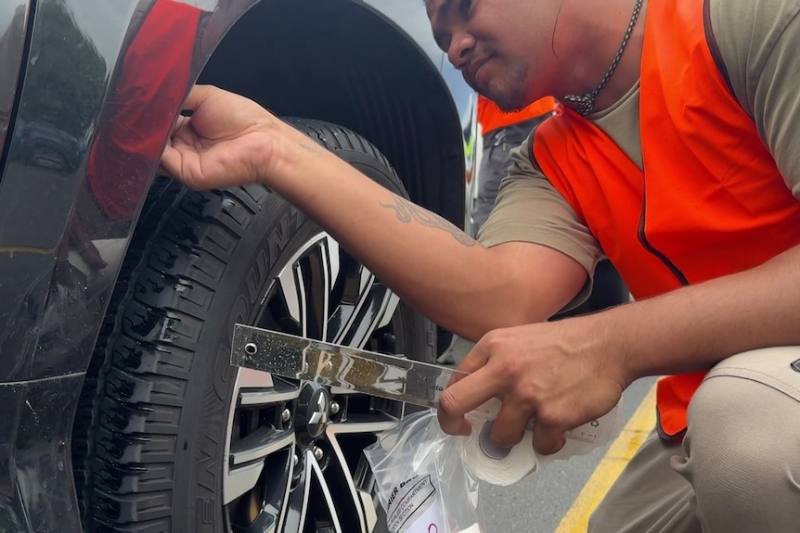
x=703 y=98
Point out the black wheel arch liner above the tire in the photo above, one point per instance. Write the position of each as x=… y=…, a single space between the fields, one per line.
x=345 y=63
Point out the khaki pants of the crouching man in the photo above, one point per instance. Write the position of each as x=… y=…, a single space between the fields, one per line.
x=738 y=469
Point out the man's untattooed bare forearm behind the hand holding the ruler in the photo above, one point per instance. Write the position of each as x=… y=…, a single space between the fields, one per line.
x=695 y=327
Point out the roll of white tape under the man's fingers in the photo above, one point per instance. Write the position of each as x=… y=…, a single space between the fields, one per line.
x=496 y=465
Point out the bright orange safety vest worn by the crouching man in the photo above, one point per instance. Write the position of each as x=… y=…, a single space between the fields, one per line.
x=710 y=202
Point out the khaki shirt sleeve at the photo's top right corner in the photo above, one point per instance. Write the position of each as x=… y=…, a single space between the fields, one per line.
x=759 y=42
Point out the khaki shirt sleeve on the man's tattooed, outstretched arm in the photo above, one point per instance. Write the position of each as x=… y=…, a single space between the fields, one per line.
x=530 y=209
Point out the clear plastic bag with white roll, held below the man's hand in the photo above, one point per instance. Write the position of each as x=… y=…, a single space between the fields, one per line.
x=428 y=481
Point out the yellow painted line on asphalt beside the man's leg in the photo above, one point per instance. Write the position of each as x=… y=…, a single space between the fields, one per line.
x=576 y=520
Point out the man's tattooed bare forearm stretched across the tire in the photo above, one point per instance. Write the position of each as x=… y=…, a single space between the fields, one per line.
x=428 y=261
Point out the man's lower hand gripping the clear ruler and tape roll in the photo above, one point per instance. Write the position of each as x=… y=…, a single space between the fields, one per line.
x=549 y=372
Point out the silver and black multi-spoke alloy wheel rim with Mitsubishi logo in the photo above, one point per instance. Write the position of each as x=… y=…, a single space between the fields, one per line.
x=293 y=449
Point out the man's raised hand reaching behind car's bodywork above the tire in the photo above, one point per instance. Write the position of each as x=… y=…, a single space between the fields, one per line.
x=228 y=140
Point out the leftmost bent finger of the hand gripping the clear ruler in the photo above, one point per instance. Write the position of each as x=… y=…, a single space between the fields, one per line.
x=462 y=397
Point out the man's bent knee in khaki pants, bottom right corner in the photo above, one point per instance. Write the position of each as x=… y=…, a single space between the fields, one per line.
x=743 y=443
